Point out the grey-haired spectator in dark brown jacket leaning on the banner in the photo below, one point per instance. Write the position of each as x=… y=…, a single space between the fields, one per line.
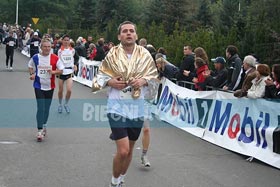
x=249 y=66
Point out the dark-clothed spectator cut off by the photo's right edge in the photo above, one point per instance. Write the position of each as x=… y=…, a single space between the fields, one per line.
x=272 y=88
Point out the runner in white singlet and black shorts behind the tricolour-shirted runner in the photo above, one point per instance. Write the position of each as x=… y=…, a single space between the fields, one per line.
x=66 y=55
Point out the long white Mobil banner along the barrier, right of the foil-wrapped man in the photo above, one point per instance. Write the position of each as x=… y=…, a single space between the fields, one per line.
x=246 y=126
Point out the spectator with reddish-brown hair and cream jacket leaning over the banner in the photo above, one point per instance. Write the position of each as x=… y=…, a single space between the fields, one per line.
x=257 y=89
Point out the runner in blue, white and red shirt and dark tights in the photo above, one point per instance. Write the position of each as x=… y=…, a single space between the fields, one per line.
x=42 y=68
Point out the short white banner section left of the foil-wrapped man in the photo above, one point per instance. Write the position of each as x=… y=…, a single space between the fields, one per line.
x=87 y=70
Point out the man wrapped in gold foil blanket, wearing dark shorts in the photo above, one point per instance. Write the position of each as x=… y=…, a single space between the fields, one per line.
x=129 y=69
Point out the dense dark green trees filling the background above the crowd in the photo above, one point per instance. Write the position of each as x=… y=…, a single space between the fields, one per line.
x=252 y=25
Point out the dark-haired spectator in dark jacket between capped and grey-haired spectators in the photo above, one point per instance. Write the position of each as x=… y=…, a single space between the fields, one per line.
x=235 y=64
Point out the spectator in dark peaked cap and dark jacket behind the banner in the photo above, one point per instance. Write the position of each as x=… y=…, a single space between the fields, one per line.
x=218 y=77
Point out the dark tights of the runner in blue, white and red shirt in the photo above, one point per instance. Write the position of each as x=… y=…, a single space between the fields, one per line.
x=44 y=100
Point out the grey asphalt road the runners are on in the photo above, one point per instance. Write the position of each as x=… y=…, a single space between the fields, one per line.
x=79 y=154
